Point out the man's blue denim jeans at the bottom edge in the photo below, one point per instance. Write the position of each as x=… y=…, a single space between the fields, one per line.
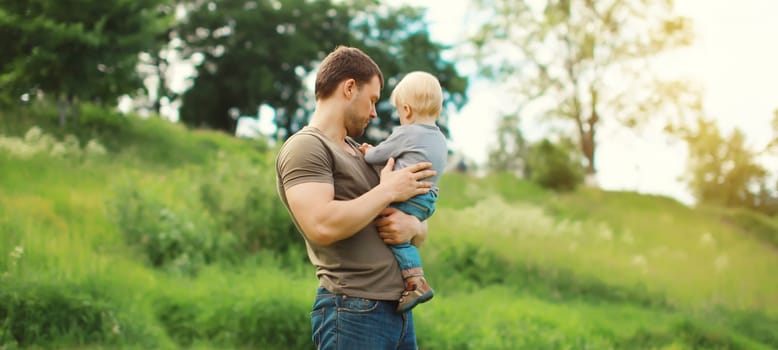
x=343 y=323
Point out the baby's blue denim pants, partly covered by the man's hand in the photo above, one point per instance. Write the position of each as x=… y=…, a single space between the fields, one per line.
x=422 y=207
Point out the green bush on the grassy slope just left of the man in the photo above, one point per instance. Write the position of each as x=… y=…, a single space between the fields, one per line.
x=239 y=215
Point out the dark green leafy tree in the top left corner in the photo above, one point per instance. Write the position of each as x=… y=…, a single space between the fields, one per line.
x=87 y=50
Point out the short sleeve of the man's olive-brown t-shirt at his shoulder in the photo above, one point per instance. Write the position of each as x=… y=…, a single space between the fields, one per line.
x=304 y=159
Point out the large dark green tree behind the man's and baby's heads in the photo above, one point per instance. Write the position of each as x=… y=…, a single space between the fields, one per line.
x=260 y=53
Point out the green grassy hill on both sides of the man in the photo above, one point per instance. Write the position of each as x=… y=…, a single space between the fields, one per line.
x=154 y=236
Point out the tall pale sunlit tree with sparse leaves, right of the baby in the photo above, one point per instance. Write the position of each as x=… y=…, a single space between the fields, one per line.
x=581 y=62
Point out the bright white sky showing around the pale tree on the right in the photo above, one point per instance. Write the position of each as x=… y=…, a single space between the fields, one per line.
x=734 y=59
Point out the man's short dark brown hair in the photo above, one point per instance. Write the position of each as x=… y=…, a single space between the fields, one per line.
x=345 y=63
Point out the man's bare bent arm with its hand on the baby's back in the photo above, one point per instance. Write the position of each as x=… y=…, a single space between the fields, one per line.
x=325 y=220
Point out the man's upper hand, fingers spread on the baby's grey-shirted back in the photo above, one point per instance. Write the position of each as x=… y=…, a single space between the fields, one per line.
x=406 y=182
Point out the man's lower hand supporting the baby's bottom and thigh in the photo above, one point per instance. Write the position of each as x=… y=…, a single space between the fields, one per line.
x=396 y=227
